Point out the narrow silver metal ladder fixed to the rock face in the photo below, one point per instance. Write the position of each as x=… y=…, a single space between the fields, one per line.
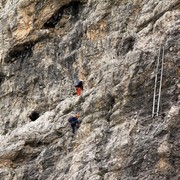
x=158 y=82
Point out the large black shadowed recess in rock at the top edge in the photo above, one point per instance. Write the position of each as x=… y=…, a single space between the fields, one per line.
x=71 y=10
